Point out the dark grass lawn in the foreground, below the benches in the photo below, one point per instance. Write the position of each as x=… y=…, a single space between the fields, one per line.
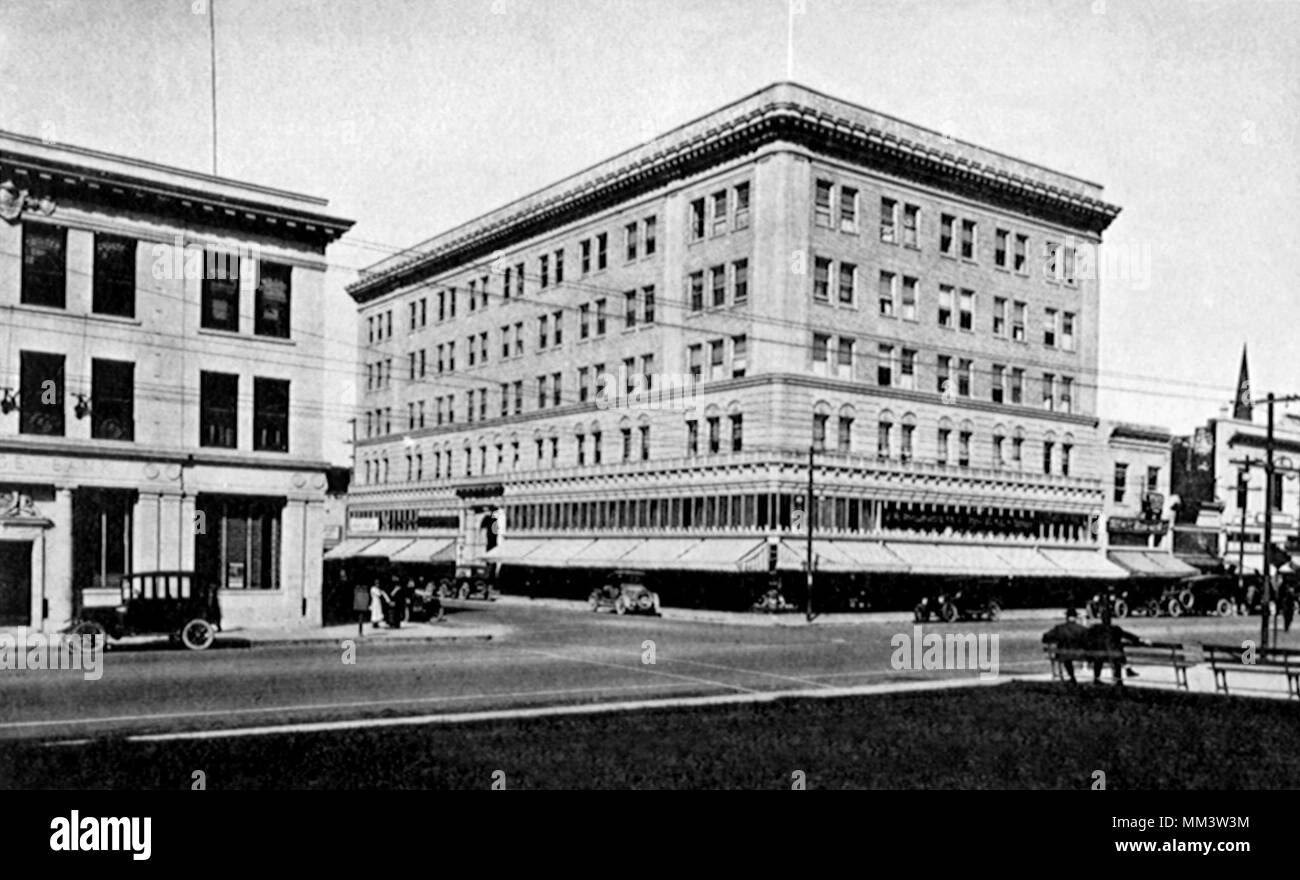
x=1008 y=736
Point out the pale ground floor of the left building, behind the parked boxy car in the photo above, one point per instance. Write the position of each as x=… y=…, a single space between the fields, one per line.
x=72 y=526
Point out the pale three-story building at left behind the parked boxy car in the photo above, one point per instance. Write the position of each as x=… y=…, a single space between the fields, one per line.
x=163 y=385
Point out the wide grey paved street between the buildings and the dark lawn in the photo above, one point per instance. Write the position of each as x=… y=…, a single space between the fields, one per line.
x=544 y=656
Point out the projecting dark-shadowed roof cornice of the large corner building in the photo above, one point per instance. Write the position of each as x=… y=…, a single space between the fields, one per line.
x=783 y=112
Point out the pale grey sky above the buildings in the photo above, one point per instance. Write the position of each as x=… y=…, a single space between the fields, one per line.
x=415 y=116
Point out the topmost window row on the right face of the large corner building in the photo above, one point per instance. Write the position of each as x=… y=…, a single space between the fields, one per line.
x=838 y=206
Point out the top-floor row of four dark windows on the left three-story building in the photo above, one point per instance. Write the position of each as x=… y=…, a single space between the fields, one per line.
x=114 y=280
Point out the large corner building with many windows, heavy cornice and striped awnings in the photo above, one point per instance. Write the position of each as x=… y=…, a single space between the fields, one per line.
x=920 y=313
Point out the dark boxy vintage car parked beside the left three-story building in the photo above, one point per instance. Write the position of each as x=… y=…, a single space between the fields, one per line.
x=180 y=605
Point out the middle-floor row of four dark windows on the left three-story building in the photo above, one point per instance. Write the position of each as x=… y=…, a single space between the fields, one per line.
x=42 y=404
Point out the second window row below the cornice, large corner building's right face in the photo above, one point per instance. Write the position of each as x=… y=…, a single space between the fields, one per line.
x=955 y=309
